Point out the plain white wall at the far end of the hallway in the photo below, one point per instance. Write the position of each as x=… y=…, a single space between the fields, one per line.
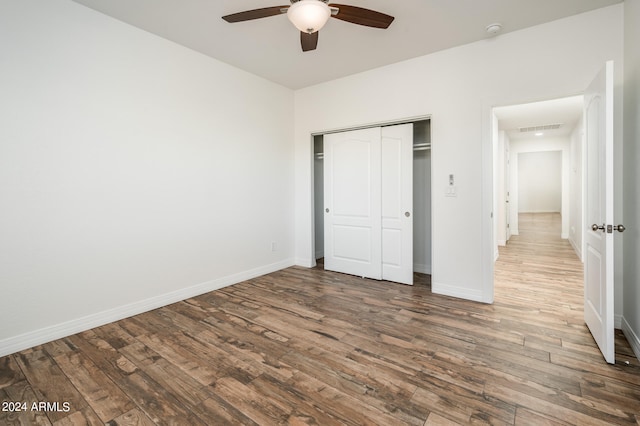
x=540 y=182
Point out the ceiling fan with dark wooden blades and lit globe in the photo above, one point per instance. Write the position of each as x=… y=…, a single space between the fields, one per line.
x=309 y=16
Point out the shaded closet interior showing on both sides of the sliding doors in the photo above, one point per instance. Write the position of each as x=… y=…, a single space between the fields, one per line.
x=421 y=195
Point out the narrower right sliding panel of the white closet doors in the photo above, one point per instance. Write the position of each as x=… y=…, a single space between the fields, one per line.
x=397 y=203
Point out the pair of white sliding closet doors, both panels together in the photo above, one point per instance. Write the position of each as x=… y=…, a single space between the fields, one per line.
x=368 y=193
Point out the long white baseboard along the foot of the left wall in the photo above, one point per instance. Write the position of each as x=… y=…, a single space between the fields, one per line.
x=58 y=331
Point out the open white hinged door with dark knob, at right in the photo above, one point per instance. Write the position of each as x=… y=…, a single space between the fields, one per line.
x=598 y=259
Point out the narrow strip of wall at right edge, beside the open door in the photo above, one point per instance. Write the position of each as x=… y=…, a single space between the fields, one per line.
x=631 y=237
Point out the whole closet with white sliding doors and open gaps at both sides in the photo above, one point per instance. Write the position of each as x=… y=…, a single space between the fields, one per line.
x=364 y=190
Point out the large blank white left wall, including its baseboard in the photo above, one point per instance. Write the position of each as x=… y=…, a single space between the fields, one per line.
x=133 y=172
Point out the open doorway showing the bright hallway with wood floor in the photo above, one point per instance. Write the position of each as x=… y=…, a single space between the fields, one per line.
x=538 y=190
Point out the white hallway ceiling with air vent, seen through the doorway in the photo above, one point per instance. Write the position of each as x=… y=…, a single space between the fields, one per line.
x=565 y=111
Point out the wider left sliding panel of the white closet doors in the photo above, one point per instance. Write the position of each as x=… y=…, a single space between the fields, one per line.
x=352 y=199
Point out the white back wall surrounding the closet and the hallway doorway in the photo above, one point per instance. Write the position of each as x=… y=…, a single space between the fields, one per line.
x=457 y=87
